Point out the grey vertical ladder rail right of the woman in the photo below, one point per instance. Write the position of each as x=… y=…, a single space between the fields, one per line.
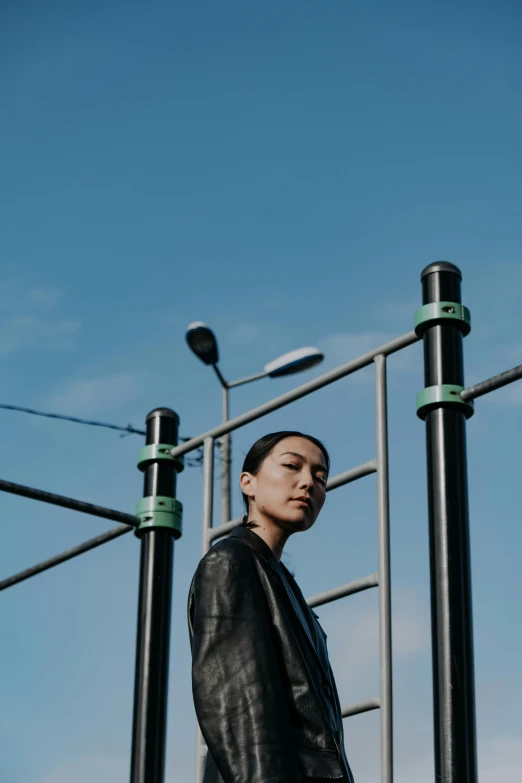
x=383 y=508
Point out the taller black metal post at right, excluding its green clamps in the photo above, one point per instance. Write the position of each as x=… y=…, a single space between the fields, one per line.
x=452 y=632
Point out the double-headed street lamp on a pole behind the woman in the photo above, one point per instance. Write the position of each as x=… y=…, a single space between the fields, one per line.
x=202 y=341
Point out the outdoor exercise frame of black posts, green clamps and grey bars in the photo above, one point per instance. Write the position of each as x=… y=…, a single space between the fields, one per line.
x=445 y=405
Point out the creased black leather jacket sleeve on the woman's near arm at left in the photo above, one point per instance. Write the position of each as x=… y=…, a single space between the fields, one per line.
x=241 y=697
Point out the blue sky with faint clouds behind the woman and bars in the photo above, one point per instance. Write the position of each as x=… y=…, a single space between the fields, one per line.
x=282 y=171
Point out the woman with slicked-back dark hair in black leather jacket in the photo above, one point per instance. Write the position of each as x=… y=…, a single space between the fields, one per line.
x=264 y=692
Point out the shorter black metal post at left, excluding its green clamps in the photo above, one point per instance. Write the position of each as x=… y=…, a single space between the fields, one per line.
x=154 y=609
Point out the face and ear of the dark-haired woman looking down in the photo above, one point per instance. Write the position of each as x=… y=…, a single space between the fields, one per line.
x=289 y=488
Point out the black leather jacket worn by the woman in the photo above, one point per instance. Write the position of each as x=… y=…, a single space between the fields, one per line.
x=264 y=691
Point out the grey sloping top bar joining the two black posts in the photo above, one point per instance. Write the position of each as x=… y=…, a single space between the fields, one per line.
x=301 y=391
